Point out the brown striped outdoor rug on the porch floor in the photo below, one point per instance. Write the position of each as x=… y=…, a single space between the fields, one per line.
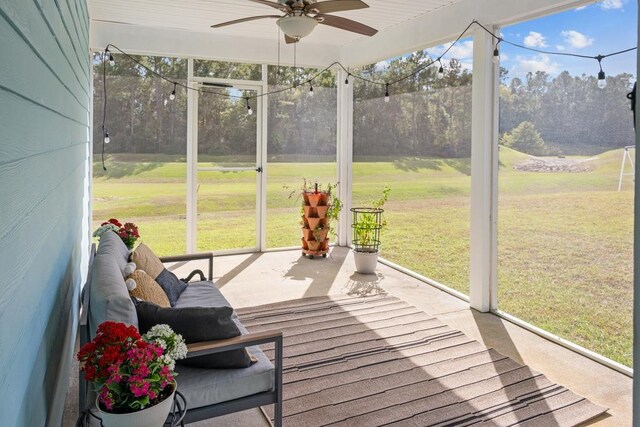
x=379 y=361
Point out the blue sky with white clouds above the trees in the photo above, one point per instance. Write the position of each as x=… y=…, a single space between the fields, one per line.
x=600 y=28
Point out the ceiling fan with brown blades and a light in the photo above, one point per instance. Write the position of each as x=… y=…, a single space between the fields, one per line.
x=302 y=16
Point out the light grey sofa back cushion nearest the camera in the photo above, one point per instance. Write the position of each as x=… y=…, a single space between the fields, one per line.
x=109 y=297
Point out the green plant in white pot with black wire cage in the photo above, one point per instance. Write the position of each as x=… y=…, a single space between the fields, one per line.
x=367 y=225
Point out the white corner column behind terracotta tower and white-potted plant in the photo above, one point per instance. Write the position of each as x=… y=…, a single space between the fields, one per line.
x=345 y=154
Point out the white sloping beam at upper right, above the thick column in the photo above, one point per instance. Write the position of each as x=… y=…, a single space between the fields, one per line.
x=444 y=25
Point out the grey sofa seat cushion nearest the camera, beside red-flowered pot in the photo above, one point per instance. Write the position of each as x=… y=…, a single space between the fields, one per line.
x=203 y=387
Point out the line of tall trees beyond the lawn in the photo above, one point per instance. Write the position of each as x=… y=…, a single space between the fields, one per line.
x=425 y=116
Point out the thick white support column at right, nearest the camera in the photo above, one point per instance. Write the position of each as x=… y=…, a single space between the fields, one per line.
x=483 y=175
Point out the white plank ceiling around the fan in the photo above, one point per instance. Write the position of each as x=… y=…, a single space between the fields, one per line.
x=199 y=15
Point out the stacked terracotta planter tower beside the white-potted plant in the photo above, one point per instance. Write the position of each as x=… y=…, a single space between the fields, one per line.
x=315 y=226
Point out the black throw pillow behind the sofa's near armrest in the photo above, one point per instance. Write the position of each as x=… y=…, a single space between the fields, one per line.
x=197 y=324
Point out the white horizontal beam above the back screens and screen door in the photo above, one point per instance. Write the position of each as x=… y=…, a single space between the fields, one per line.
x=135 y=39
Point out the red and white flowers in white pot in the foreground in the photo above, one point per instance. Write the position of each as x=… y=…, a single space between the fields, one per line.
x=133 y=374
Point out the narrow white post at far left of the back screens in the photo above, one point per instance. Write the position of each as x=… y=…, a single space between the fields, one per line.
x=192 y=160
